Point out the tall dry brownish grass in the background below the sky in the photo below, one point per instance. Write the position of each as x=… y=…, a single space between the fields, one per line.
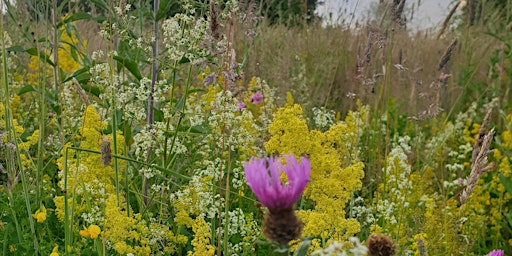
x=322 y=66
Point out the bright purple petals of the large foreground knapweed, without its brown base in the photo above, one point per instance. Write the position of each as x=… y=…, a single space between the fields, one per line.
x=264 y=178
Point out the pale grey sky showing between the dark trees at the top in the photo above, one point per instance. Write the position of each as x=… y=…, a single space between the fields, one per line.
x=429 y=13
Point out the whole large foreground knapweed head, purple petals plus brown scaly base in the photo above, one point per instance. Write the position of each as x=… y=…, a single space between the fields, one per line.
x=264 y=177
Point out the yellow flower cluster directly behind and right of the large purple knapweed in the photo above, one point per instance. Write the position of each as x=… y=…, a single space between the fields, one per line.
x=335 y=173
